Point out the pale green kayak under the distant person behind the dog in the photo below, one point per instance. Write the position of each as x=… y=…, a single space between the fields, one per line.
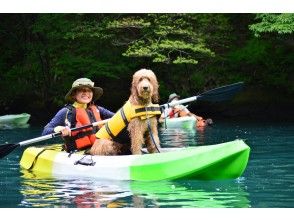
x=186 y=122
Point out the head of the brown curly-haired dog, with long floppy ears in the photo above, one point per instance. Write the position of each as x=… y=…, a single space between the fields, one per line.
x=145 y=86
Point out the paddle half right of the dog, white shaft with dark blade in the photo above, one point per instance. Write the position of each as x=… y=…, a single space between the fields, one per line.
x=215 y=95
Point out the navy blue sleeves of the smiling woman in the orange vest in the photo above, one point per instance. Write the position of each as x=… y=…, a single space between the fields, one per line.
x=59 y=119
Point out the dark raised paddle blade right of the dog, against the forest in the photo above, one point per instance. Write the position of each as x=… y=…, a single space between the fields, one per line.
x=220 y=94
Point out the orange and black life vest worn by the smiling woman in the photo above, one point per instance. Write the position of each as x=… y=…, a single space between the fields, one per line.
x=84 y=138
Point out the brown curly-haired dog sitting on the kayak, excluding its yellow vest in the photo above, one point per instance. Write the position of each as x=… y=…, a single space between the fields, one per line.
x=144 y=91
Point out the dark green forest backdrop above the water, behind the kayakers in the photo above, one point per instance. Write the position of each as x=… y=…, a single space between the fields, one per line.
x=42 y=54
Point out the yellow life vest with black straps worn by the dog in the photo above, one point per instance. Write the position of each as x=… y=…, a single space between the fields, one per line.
x=123 y=116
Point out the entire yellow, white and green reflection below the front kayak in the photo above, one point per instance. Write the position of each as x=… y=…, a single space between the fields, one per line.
x=40 y=191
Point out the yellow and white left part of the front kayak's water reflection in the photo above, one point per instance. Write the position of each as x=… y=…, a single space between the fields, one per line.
x=41 y=191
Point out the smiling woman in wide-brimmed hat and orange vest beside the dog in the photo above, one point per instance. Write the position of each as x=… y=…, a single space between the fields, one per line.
x=82 y=111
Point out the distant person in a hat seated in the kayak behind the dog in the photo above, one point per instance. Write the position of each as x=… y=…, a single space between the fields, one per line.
x=181 y=111
